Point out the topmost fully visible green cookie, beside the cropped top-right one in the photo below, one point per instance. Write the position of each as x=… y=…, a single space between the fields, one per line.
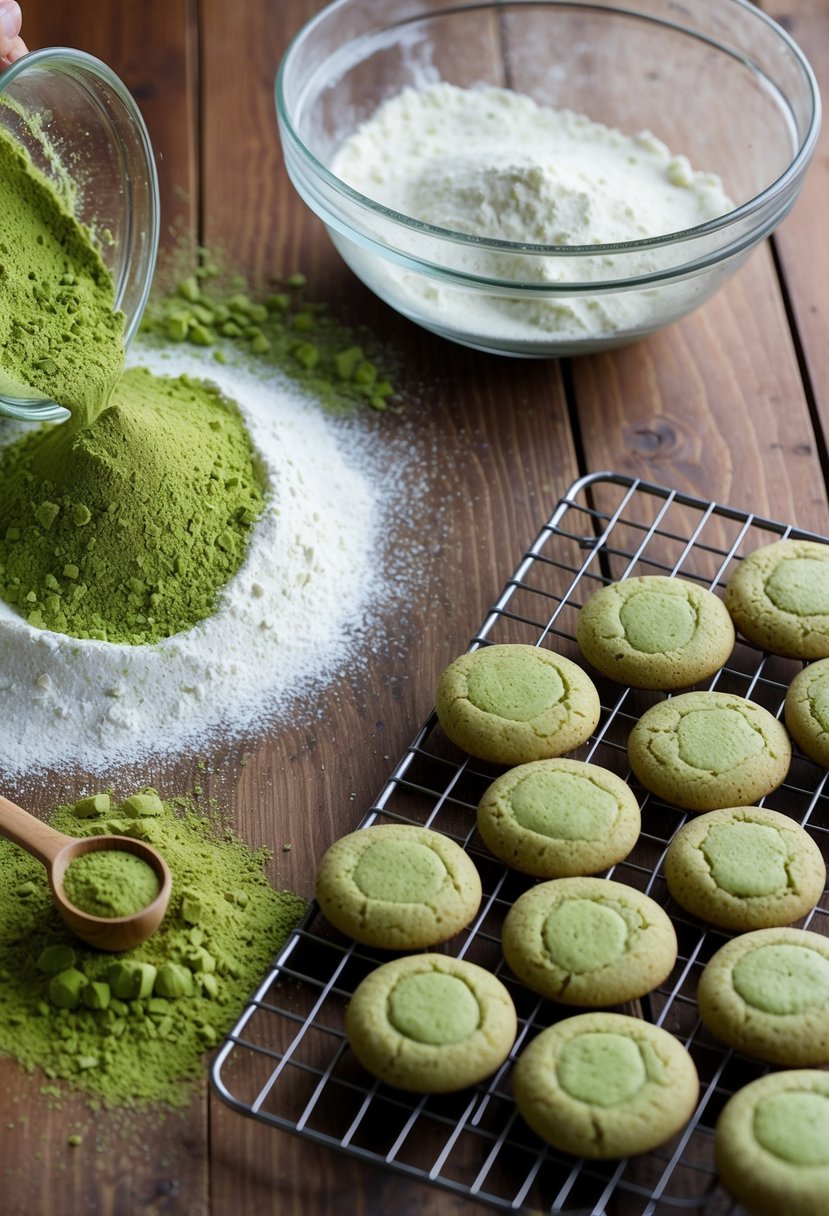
x=656 y=633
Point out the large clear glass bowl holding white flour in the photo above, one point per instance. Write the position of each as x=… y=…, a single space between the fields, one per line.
x=717 y=81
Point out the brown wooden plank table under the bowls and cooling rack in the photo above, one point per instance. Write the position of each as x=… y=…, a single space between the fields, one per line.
x=731 y=404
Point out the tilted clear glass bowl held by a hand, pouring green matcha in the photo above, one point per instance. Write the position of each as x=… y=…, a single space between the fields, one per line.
x=80 y=122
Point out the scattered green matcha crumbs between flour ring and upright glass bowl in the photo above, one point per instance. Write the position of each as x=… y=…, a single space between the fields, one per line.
x=343 y=368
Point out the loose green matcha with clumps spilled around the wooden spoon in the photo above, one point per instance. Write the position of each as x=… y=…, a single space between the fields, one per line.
x=134 y=1028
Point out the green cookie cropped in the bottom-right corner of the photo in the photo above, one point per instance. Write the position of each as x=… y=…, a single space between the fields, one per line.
x=772 y=1145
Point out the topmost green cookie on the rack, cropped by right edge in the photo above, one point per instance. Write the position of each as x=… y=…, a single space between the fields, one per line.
x=779 y=598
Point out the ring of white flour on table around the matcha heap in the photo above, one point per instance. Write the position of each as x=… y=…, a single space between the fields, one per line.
x=289 y=618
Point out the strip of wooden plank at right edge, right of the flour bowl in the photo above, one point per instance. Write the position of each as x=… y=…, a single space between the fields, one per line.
x=802 y=240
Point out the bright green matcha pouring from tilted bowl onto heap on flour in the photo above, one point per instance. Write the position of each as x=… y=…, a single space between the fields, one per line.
x=123 y=523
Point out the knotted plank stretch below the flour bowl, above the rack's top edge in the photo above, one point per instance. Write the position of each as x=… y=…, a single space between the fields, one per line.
x=714 y=407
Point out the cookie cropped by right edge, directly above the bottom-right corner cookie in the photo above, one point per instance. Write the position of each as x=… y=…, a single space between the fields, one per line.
x=768 y=995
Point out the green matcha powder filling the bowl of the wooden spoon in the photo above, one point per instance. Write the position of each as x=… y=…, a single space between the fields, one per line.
x=111 y=883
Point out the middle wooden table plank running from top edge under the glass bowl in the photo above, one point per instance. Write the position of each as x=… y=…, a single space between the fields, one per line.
x=489 y=442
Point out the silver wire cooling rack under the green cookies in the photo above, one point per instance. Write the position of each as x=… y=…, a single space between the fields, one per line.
x=287 y=1062
